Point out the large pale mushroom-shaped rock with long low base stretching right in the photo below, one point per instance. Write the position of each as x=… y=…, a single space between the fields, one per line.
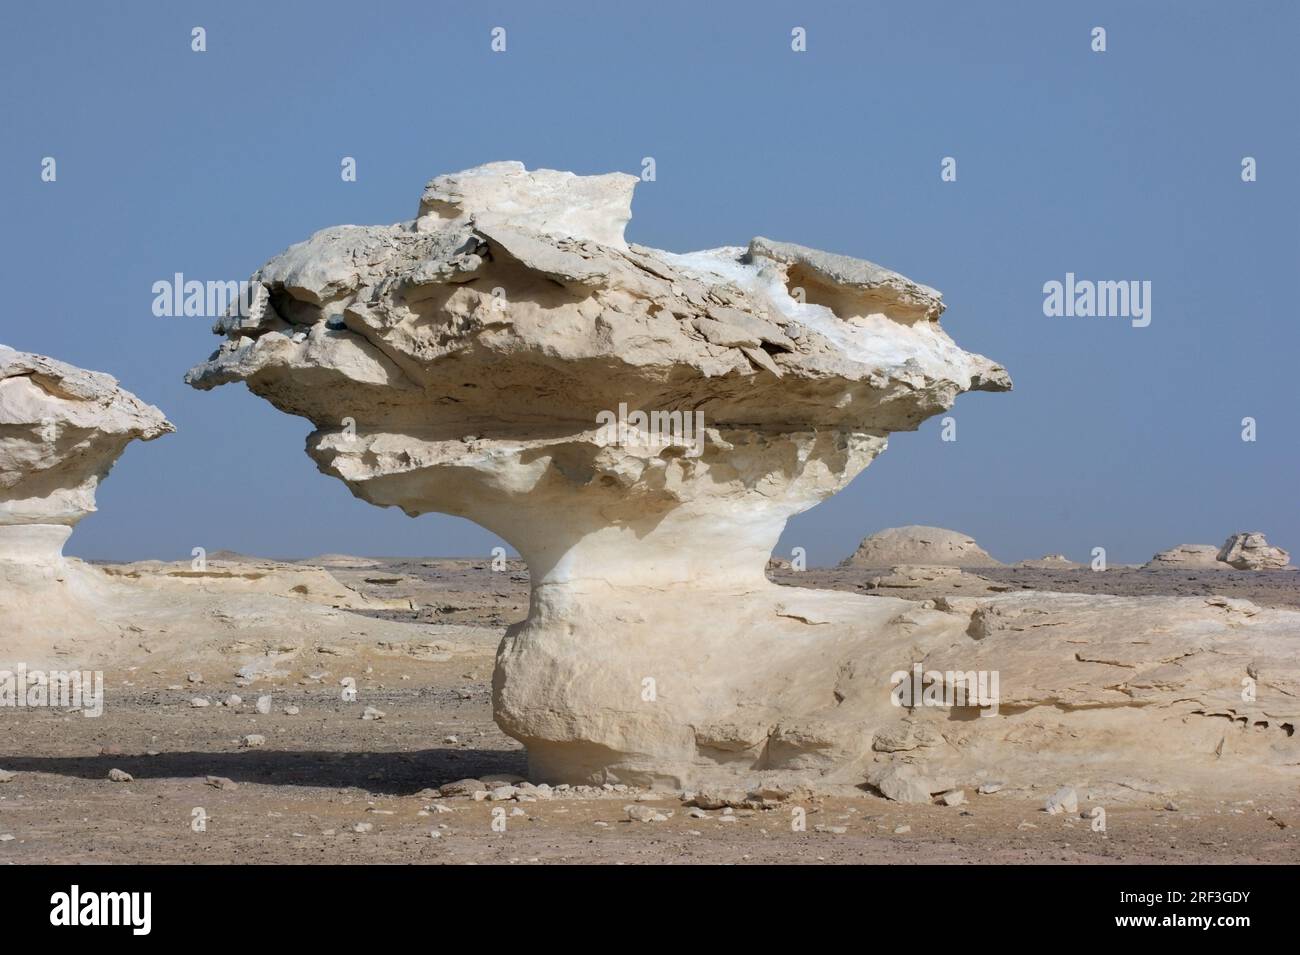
x=493 y=358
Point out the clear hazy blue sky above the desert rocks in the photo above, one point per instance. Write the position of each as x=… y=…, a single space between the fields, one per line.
x=1116 y=166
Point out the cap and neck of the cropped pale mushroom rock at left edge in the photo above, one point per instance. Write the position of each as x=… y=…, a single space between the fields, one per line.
x=62 y=431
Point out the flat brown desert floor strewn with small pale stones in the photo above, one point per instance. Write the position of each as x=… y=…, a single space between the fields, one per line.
x=328 y=787
